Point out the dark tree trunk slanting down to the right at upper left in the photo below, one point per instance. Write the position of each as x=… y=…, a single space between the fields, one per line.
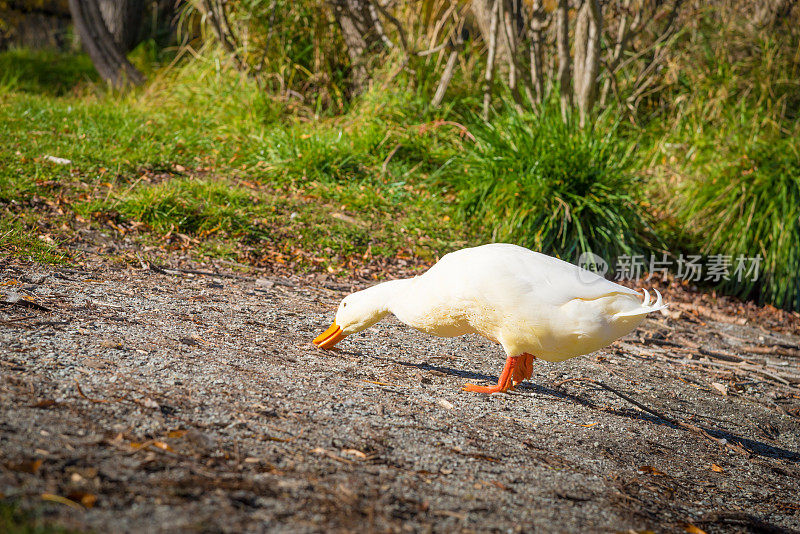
x=107 y=57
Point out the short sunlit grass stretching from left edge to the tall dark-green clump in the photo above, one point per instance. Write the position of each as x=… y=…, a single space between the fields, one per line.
x=184 y=155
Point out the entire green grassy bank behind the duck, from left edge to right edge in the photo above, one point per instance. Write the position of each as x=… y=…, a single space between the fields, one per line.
x=203 y=160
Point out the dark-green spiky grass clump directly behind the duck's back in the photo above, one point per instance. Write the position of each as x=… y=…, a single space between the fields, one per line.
x=552 y=187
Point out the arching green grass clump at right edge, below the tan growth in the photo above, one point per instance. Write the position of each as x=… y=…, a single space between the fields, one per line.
x=751 y=207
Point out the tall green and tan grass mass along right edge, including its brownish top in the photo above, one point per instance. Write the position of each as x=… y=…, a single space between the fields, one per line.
x=727 y=160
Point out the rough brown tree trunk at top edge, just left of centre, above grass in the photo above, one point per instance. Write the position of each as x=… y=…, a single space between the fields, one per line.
x=359 y=28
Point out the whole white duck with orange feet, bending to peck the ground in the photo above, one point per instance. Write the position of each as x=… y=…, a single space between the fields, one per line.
x=534 y=305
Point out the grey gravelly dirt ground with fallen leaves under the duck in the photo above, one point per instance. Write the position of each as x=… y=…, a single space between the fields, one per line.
x=144 y=400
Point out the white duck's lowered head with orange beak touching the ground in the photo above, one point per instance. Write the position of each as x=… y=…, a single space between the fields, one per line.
x=356 y=312
